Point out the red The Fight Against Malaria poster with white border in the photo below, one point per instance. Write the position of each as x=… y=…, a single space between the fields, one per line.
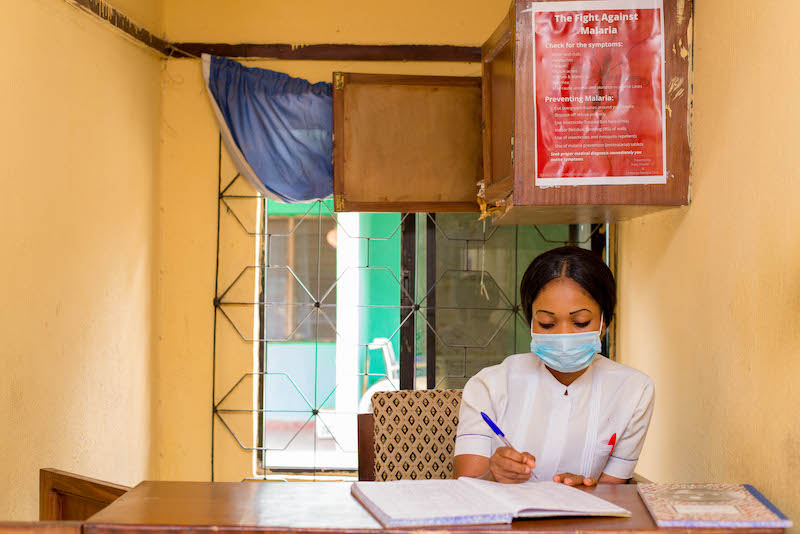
x=599 y=92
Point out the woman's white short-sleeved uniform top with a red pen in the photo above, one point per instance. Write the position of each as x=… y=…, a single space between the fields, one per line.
x=566 y=433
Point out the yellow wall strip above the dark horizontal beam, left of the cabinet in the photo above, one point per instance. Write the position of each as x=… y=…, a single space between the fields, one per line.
x=465 y=22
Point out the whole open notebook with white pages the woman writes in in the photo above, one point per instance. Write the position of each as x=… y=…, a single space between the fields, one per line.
x=468 y=501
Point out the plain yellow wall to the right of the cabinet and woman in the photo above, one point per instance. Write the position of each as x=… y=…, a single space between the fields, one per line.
x=710 y=295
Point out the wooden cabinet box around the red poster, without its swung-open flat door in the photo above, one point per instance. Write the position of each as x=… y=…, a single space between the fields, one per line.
x=509 y=137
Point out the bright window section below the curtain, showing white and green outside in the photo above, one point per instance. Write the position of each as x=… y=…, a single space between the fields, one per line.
x=317 y=370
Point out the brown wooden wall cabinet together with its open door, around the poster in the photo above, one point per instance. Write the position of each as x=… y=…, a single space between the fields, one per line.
x=420 y=154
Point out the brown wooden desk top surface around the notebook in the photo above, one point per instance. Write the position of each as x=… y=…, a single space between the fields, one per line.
x=298 y=507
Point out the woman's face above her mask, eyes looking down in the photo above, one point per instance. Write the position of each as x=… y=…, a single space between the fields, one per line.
x=564 y=307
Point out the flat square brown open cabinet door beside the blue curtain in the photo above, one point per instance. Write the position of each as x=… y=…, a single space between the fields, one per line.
x=406 y=143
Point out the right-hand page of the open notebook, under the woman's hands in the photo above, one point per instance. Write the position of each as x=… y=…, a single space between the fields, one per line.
x=535 y=499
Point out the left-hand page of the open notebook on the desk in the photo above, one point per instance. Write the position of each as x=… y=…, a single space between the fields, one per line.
x=409 y=502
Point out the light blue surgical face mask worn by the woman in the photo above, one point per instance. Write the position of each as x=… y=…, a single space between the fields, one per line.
x=567 y=353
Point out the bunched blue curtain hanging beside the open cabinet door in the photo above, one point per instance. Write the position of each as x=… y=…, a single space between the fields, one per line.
x=278 y=129
